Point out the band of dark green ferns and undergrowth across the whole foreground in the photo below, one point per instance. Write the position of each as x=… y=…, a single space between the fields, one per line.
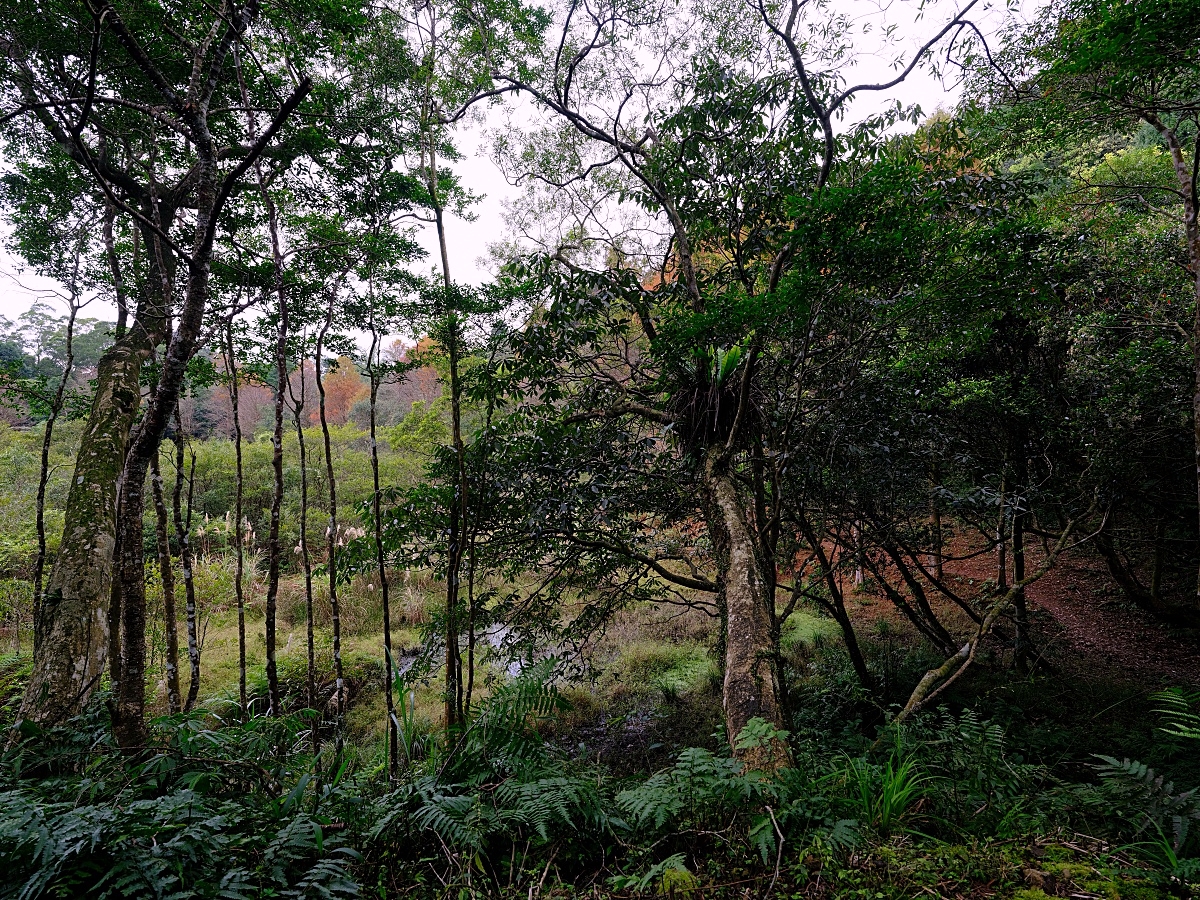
x=945 y=808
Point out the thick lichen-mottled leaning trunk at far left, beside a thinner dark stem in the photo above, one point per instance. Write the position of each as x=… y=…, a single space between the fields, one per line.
x=73 y=627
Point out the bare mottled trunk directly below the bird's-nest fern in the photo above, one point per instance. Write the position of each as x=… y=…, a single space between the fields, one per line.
x=751 y=688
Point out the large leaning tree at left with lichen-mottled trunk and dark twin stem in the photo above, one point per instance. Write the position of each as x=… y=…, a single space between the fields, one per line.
x=143 y=121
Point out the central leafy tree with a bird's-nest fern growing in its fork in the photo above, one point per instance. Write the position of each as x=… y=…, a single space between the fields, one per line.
x=659 y=380
